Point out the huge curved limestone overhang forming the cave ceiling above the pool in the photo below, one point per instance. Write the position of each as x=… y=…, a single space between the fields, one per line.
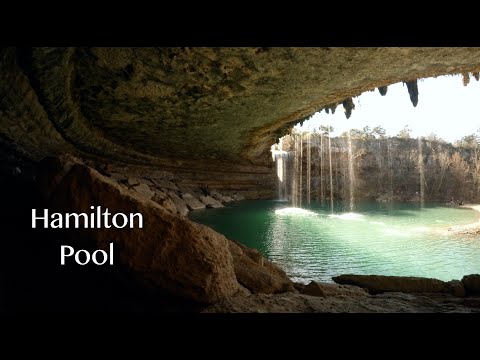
x=208 y=114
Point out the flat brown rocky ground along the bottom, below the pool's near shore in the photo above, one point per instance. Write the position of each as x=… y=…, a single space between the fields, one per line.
x=383 y=303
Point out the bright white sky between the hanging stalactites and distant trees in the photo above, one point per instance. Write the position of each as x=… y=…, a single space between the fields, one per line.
x=445 y=107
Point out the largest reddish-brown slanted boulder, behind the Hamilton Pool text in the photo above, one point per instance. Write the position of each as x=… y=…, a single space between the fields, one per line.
x=170 y=252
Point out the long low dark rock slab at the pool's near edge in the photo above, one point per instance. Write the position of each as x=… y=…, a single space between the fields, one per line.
x=377 y=284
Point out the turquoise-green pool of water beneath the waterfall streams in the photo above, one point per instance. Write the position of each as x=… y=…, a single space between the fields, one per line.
x=384 y=239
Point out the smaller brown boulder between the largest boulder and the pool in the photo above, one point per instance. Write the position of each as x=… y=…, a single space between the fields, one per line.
x=257 y=274
